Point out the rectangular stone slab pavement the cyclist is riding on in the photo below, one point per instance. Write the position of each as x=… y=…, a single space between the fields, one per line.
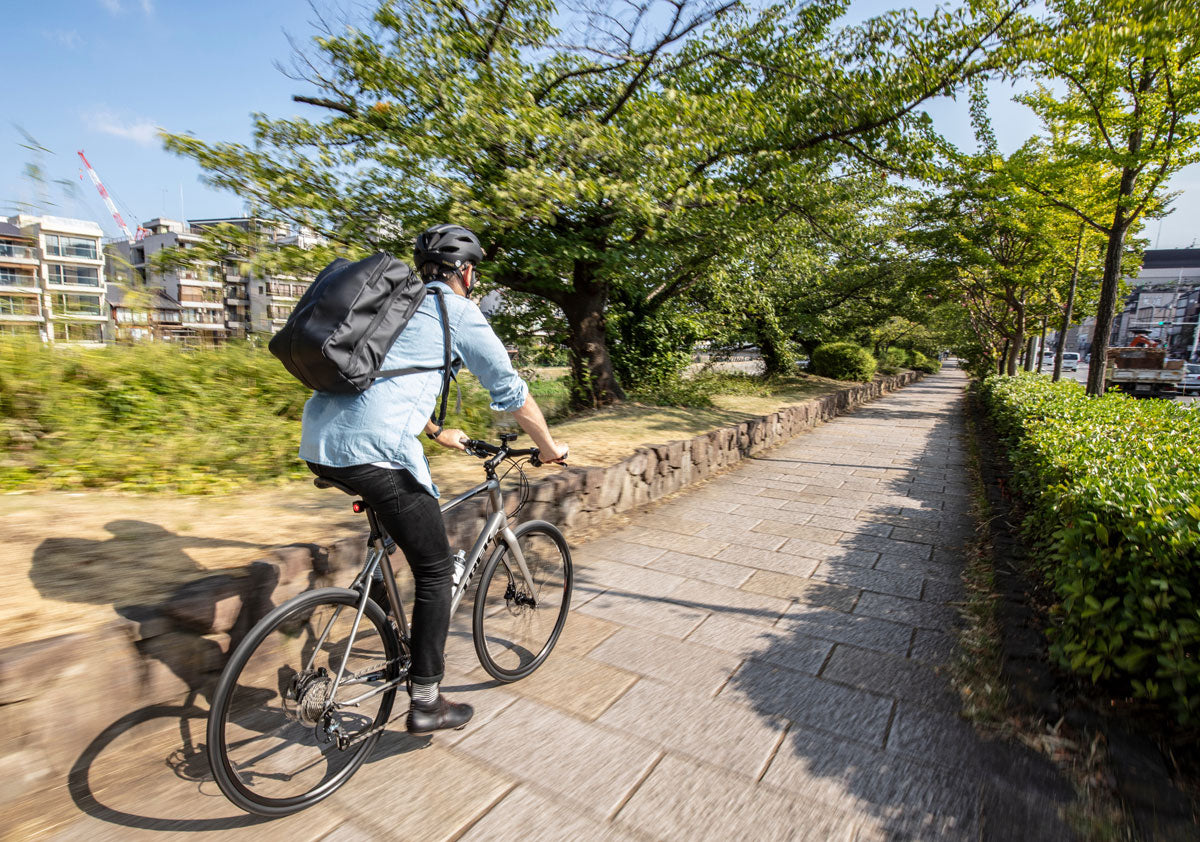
x=763 y=658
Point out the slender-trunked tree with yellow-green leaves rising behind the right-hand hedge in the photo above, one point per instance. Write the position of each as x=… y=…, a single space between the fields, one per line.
x=1130 y=113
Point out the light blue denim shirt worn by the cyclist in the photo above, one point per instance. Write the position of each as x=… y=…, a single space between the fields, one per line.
x=383 y=423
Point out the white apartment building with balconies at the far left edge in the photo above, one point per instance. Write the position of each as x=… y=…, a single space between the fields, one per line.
x=70 y=272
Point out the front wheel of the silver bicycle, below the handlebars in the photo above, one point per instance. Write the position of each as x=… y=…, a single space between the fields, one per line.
x=497 y=621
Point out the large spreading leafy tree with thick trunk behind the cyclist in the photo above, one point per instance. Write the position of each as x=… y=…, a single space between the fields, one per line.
x=631 y=160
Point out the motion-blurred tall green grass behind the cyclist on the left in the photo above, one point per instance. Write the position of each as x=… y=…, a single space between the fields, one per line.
x=160 y=418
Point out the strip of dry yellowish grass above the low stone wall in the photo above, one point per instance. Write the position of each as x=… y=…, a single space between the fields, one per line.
x=69 y=560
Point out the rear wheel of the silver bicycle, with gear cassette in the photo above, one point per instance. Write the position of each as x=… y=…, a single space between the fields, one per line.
x=273 y=739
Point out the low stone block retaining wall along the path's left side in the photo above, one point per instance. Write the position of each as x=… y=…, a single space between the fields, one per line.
x=57 y=696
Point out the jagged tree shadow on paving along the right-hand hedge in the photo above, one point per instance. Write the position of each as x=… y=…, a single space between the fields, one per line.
x=879 y=725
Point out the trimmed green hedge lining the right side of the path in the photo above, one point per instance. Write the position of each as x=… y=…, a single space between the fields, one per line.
x=1113 y=492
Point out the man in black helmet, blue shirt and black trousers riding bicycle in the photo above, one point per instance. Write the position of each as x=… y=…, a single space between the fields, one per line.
x=369 y=442
